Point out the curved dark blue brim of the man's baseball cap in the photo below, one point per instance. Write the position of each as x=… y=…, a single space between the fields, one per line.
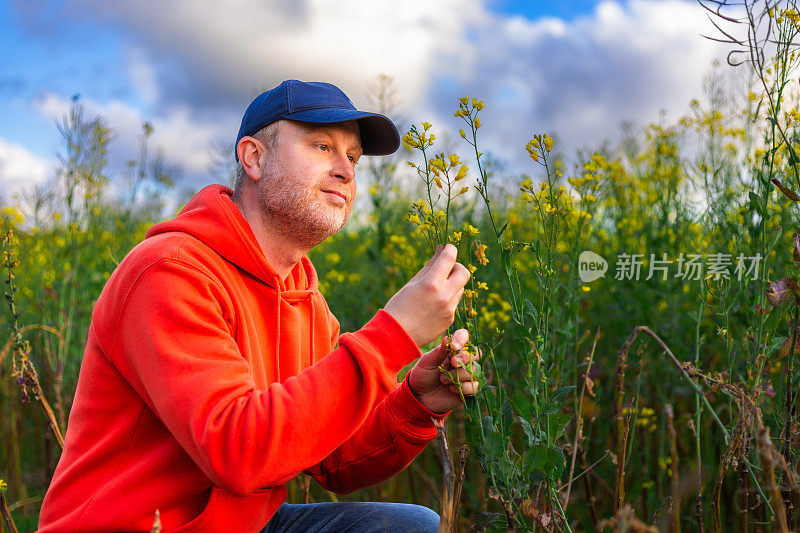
x=379 y=135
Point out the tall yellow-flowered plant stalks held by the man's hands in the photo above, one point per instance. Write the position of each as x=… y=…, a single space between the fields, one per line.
x=515 y=434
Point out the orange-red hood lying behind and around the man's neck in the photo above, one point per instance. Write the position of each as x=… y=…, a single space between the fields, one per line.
x=212 y=217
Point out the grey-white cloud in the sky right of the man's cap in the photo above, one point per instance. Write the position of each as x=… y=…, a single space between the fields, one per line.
x=582 y=78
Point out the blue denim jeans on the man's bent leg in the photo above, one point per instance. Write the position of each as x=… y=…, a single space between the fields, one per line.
x=353 y=517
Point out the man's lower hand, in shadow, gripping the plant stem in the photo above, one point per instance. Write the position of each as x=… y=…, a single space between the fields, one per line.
x=434 y=388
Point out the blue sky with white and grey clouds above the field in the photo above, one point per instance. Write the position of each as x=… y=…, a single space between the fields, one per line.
x=190 y=67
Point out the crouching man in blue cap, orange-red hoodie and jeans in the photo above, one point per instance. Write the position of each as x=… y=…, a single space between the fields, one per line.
x=211 y=375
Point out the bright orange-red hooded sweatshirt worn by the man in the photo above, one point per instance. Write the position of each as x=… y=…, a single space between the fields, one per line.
x=208 y=383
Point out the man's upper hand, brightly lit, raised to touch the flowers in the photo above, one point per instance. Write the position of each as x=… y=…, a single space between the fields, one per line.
x=426 y=305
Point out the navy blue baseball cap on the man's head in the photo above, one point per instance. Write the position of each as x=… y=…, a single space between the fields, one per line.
x=319 y=103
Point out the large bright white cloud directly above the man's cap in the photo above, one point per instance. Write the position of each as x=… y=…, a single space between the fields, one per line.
x=222 y=52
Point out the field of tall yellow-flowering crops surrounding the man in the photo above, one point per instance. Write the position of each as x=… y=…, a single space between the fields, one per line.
x=636 y=307
